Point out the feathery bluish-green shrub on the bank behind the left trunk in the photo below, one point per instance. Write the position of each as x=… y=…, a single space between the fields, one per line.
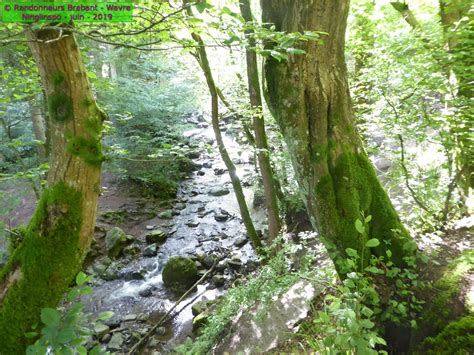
x=143 y=145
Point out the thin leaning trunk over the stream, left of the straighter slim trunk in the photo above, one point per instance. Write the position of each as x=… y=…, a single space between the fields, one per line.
x=201 y=55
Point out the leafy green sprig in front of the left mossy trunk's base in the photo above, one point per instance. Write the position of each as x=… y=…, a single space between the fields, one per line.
x=66 y=330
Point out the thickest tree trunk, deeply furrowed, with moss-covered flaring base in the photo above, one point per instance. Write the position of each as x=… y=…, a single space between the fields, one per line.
x=309 y=97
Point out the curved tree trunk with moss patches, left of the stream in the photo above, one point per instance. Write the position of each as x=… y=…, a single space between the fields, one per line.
x=60 y=231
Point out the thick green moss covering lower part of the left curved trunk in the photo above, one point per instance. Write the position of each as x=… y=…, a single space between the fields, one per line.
x=48 y=258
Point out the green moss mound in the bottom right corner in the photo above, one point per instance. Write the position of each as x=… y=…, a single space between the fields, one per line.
x=456 y=338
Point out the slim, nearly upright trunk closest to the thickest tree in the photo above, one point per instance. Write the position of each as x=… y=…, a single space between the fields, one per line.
x=261 y=144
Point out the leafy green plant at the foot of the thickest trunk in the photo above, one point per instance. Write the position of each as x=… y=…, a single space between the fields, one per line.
x=354 y=310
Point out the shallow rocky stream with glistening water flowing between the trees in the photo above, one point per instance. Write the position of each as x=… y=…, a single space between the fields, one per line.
x=205 y=222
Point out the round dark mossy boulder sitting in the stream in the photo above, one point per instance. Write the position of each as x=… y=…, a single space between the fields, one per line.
x=180 y=273
